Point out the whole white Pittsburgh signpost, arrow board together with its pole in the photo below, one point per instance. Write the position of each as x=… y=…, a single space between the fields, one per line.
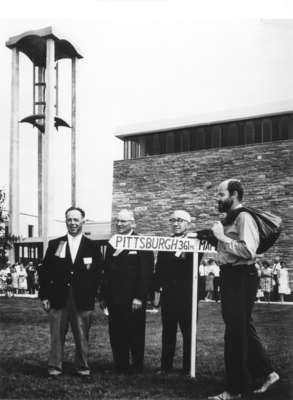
x=171 y=244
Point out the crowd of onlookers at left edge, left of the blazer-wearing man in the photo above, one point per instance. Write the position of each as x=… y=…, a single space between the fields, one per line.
x=18 y=279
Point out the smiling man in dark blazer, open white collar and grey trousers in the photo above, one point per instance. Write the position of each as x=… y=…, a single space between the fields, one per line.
x=69 y=281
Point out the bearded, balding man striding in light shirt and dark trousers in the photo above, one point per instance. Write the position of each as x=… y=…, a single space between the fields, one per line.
x=238 y=240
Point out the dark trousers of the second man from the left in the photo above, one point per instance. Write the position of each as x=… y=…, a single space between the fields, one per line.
x=127 y=336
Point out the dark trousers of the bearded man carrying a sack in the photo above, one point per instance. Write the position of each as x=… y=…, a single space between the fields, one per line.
x=245 y=356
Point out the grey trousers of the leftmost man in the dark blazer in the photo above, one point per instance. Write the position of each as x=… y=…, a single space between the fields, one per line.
x=80 y=322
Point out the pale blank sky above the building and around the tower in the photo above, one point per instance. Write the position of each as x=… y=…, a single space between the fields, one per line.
x=146 y=63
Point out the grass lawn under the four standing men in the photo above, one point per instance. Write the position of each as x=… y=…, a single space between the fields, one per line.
x=24 y=345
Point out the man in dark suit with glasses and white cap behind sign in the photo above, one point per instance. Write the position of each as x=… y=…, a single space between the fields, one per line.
x=173 y=278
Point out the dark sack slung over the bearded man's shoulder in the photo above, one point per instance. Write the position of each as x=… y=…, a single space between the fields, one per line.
x=269 y=226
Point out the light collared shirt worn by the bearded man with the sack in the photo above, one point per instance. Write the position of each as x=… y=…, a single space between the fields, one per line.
x=244 y=241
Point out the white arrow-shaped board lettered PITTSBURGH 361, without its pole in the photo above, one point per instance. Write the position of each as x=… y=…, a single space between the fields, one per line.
x=161 y=243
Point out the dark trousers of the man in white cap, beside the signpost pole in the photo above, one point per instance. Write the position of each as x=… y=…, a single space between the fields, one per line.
x=171 y=318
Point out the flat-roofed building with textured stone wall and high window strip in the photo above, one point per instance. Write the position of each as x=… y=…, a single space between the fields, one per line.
x=180 y=168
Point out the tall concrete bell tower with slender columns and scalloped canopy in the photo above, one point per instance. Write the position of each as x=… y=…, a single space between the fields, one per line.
x=45 y=49
